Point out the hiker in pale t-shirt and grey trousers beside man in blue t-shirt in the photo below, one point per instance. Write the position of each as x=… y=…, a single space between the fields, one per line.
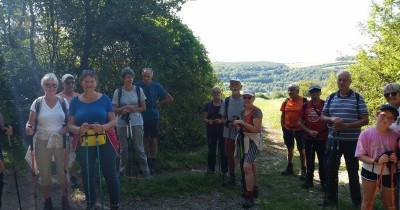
x=129 y=103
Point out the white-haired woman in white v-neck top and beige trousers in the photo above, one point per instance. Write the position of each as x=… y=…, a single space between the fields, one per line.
x=47 y=126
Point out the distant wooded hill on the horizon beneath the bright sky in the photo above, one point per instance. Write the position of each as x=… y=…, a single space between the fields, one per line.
x=267 y=77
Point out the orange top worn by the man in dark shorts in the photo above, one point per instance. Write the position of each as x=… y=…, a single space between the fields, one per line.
x=292 y=112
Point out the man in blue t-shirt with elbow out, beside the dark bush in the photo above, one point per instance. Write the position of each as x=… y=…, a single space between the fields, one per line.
x=156 y=96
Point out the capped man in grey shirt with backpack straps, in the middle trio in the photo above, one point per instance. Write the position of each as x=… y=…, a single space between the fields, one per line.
x=230 y=110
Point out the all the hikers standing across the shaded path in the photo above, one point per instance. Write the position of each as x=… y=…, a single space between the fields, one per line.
x=69 y=125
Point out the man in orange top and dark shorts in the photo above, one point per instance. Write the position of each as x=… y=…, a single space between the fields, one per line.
x=291 y=110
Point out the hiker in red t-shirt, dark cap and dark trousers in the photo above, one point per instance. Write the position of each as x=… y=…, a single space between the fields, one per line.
x=315 y=136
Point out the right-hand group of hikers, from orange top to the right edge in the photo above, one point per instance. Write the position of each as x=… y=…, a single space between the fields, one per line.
x=332 y=129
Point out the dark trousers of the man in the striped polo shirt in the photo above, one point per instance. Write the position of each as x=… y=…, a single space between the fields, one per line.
x=346 y=148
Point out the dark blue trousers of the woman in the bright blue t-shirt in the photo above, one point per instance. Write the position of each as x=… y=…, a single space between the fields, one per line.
x=108 y=167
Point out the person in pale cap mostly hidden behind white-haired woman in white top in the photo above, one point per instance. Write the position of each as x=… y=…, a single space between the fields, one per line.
x=68 y=81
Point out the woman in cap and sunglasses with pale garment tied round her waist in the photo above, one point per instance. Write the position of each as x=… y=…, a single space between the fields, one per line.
x=250 y=121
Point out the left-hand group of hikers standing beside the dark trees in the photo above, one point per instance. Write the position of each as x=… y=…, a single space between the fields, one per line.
x=68 y=125
